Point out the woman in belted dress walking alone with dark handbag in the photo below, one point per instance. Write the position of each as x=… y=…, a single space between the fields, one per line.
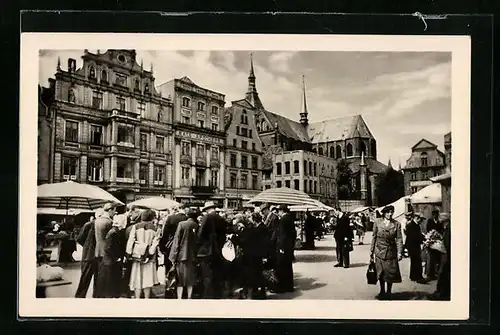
x=387 y=251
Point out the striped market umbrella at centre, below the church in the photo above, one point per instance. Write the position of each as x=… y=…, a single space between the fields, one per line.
x=283 y=195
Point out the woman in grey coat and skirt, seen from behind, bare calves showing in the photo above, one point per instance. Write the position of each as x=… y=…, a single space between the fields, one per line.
x=183 y=253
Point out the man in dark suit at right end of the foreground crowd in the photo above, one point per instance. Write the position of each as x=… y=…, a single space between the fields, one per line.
x=285 y=247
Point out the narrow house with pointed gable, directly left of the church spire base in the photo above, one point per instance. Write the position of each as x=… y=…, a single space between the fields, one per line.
x=243 y=177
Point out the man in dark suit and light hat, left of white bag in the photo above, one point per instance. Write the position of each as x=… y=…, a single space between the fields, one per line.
x=210 y=240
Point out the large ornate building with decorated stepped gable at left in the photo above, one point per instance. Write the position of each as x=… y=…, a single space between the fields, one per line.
x=111 y=128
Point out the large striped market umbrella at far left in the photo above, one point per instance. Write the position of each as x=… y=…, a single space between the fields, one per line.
x=70 y=195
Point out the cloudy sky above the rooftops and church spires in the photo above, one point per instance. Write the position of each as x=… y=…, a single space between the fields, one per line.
x=403 y=96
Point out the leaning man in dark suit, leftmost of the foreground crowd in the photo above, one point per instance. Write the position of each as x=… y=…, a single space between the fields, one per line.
x=86 y=239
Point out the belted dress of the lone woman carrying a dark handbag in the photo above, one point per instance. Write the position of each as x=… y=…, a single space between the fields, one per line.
x=387 y=244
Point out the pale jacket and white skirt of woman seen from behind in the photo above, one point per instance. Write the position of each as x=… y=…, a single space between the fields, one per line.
x=143 y=274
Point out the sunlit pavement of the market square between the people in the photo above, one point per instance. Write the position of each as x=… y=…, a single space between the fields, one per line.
x=315 y=277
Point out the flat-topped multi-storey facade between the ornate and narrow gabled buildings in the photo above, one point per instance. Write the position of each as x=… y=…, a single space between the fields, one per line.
x=198 y=122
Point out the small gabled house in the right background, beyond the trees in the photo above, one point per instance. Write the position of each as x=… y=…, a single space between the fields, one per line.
x=425 y=162
